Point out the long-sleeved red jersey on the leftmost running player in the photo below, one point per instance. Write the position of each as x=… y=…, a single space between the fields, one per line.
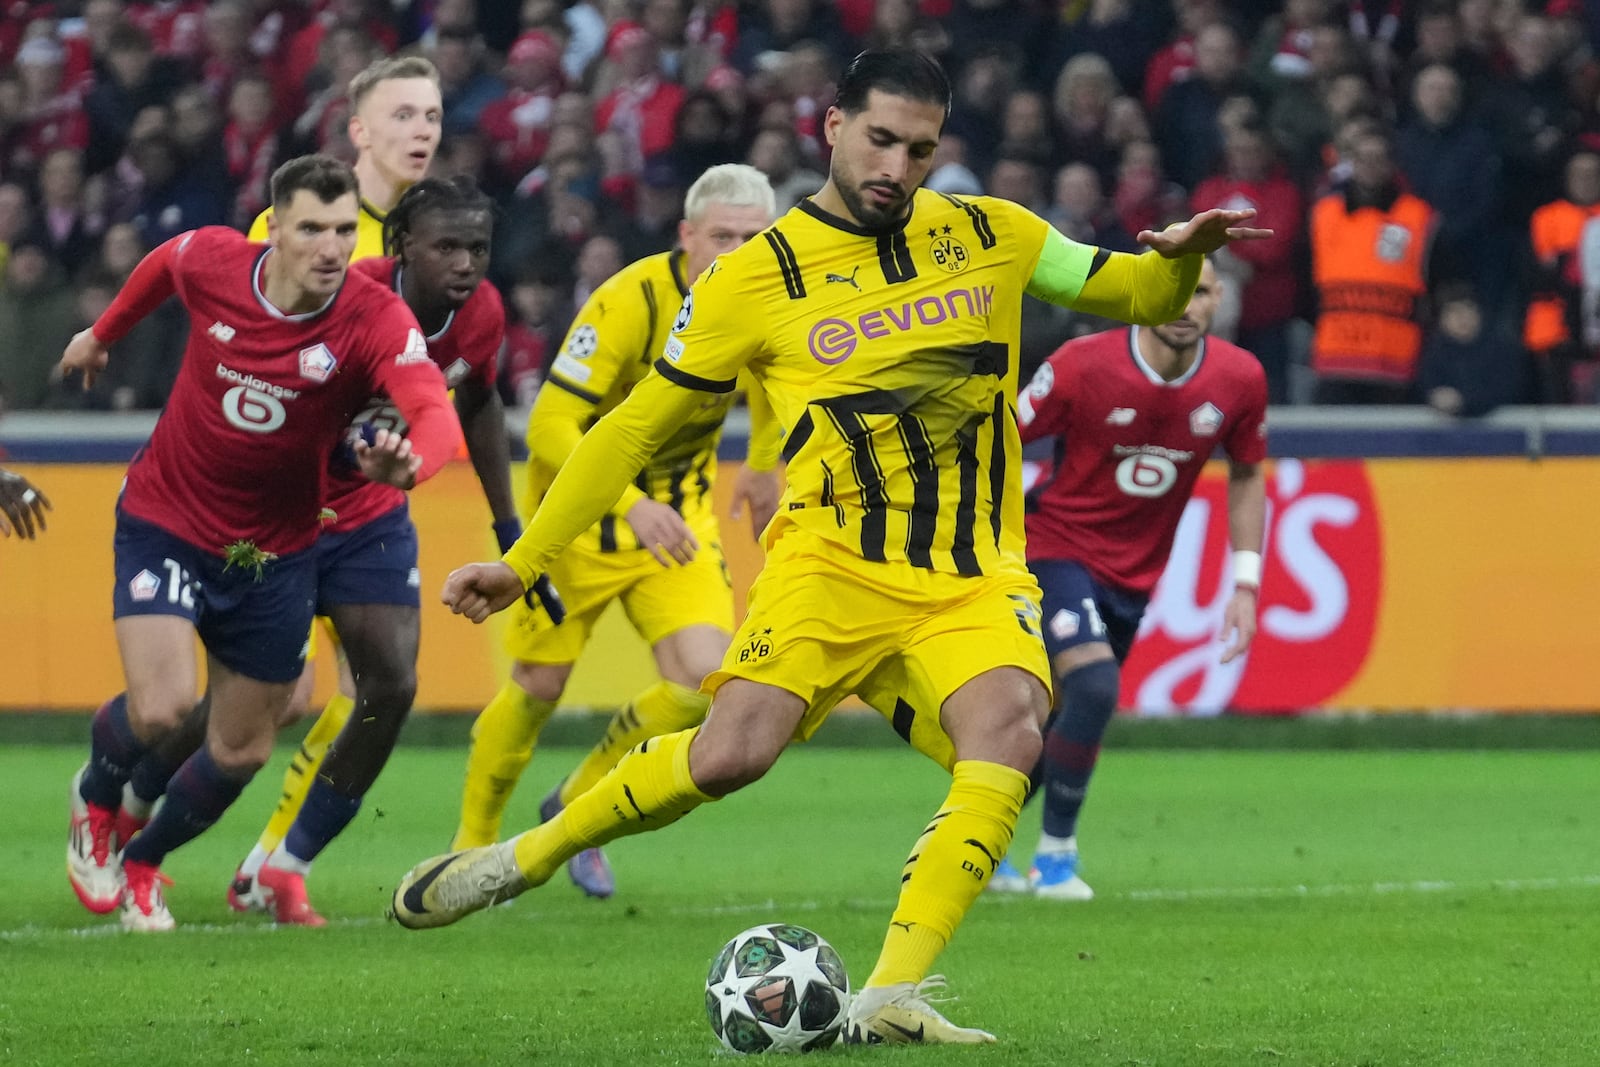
x=263 y=398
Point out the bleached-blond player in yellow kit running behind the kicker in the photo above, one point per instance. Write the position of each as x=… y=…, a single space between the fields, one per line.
x=684 y=612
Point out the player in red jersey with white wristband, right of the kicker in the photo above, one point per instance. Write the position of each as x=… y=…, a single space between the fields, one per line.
x=1135 y=415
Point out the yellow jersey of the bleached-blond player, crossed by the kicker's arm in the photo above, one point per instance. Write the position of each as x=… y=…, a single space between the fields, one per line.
x=612 y=345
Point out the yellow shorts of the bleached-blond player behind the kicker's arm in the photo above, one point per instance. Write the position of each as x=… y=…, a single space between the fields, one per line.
x=660 y=601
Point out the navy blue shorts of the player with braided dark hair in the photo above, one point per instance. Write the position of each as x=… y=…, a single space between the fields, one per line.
x=372 y=564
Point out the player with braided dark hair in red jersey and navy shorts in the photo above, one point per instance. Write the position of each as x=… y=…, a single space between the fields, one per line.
x=367 y=556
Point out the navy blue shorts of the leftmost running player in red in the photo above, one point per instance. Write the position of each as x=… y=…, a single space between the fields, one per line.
x=255 y=626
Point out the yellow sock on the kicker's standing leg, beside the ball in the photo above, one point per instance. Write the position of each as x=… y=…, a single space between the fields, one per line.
x=950 y=868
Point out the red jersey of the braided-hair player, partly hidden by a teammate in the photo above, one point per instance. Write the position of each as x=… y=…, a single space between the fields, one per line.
x=465 y=350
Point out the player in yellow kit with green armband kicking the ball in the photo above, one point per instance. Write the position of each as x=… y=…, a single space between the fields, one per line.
x=882 y=321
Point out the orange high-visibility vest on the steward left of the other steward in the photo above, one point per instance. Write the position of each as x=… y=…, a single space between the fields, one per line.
x=1369 y=268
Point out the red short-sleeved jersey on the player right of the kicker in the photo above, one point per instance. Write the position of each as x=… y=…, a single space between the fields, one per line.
x=1130 y=449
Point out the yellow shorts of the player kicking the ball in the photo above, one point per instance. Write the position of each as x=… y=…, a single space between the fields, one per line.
x=823 y=623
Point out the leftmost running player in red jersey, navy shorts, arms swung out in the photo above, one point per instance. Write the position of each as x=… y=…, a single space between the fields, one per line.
x=222 y=510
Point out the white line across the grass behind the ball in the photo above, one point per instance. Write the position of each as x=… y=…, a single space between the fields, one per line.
x=769 y=906
